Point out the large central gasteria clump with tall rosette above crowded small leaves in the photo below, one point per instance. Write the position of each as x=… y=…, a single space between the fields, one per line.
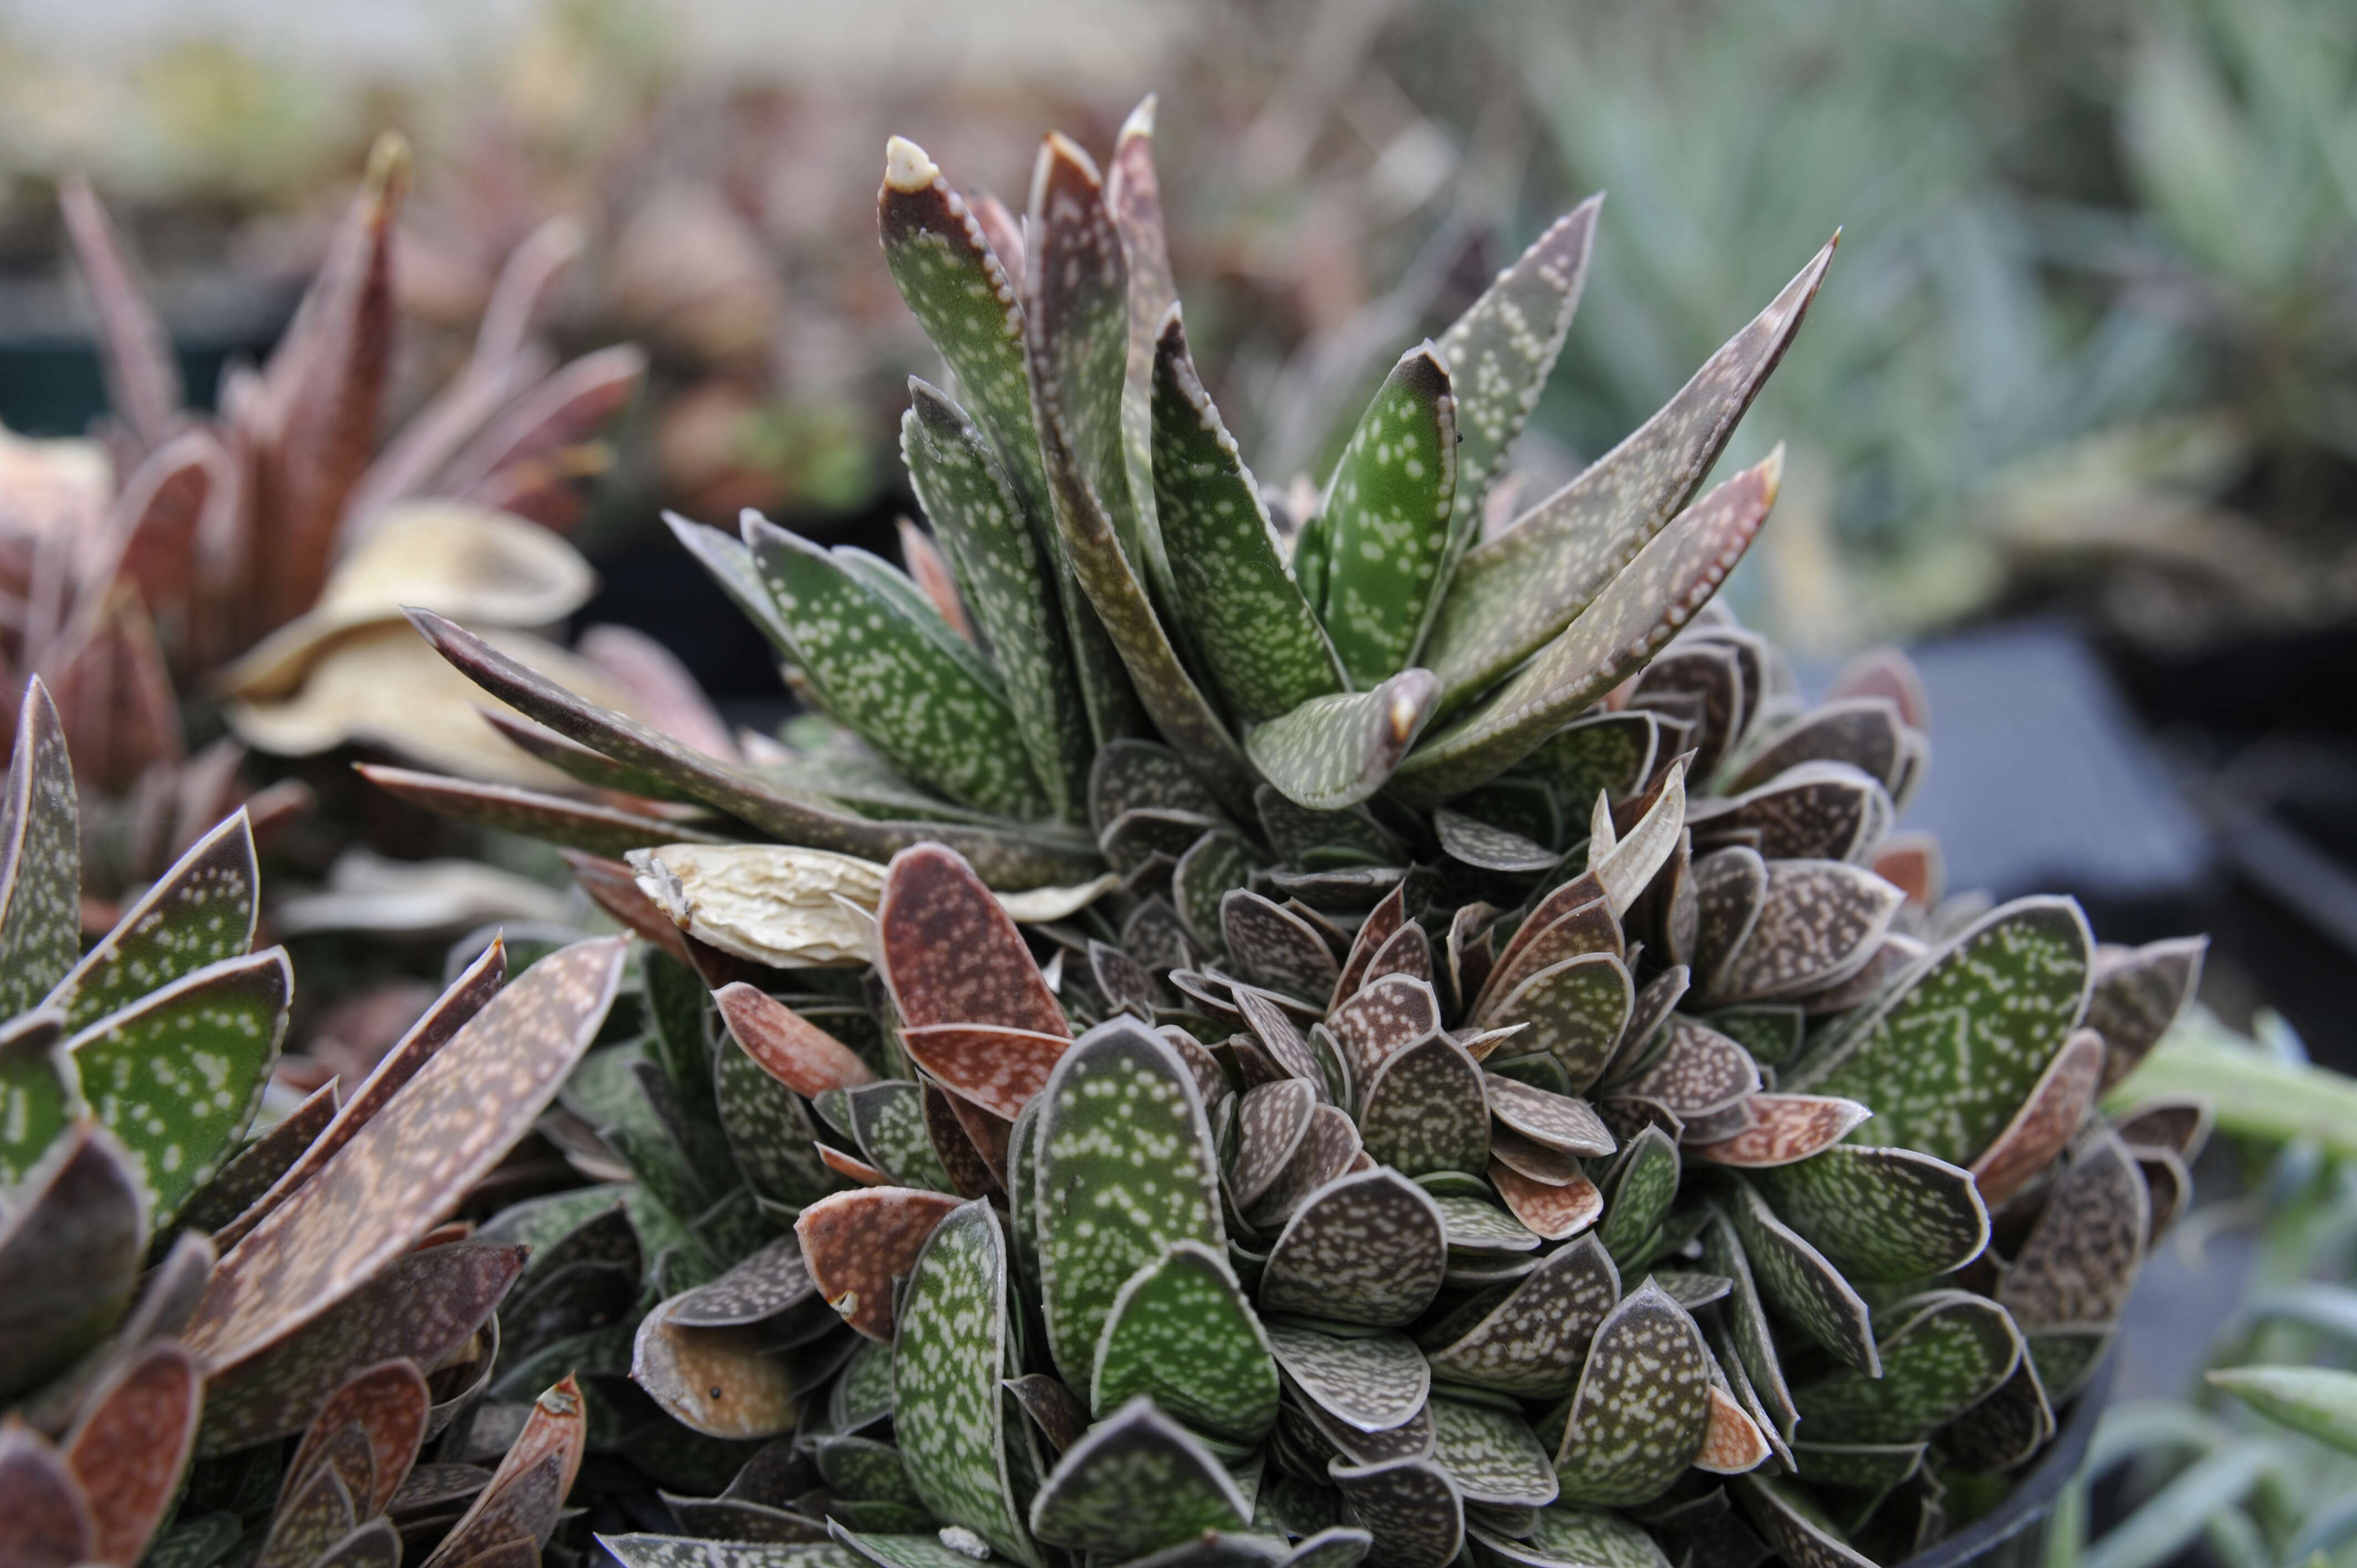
x=1472 y=1140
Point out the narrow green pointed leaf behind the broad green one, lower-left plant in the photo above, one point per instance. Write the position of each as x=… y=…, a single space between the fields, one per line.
x=197 y=914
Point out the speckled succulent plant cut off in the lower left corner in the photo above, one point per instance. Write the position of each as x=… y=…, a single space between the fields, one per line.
x=183 y=1298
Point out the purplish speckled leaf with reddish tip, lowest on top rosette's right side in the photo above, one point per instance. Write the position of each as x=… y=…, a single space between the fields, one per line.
x=1611 y=638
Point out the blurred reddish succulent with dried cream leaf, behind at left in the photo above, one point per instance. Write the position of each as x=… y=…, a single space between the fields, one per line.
x=263 y=555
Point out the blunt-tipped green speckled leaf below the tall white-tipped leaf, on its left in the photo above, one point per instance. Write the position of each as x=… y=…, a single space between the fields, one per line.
x=1008 y=584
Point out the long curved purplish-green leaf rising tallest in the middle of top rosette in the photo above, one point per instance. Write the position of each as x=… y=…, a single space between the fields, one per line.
x=1076 y=334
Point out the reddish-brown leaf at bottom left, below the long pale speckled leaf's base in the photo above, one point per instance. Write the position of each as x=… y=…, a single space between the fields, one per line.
x=131 y=1444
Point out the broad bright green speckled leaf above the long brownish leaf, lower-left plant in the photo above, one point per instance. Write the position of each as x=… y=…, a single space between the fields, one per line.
x=180 y=1074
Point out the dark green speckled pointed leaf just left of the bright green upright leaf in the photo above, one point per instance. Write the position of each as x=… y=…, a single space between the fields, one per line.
x=1260 y=638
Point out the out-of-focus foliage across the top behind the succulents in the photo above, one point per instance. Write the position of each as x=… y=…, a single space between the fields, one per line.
x=2092 y=336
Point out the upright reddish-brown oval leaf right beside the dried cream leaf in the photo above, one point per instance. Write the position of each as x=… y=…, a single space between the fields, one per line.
x=951 y=954
